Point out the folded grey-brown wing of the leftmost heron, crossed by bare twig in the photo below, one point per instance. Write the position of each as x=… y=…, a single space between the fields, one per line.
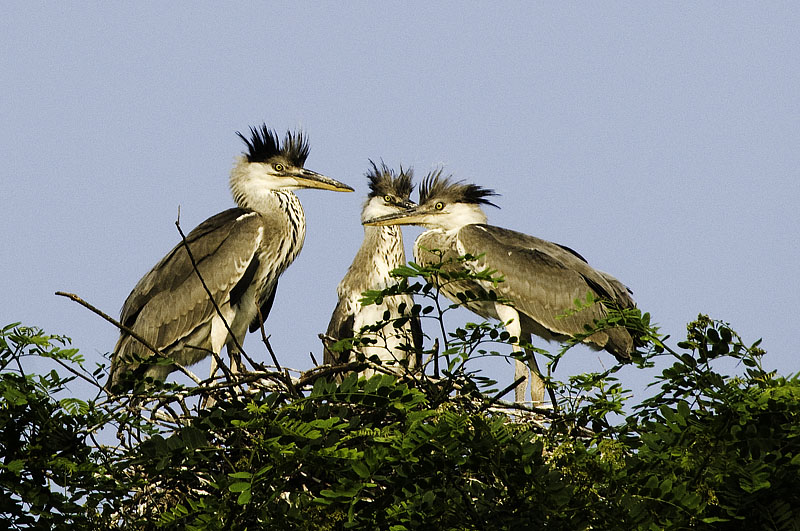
x=169 y=302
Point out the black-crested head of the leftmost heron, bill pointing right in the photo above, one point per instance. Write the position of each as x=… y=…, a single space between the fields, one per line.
x=269 y=164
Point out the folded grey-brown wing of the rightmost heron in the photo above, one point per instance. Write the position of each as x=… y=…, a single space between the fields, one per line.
x=542 y=279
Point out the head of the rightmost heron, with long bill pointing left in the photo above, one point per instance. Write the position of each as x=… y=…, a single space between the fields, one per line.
x=443 y=204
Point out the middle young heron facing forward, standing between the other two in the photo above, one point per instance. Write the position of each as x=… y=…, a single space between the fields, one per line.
x=380 y=252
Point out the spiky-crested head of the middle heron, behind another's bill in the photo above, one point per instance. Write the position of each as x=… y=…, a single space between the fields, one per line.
x=388 y=191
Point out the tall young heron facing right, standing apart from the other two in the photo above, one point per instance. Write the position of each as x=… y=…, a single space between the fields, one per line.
x=240 y=253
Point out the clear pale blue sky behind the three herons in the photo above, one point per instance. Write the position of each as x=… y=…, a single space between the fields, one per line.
x=662 y=142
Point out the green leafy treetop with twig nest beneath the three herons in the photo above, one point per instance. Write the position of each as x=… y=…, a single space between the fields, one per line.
x=708 y=450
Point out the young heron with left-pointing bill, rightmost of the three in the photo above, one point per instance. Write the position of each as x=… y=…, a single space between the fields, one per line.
x=541 y=278
